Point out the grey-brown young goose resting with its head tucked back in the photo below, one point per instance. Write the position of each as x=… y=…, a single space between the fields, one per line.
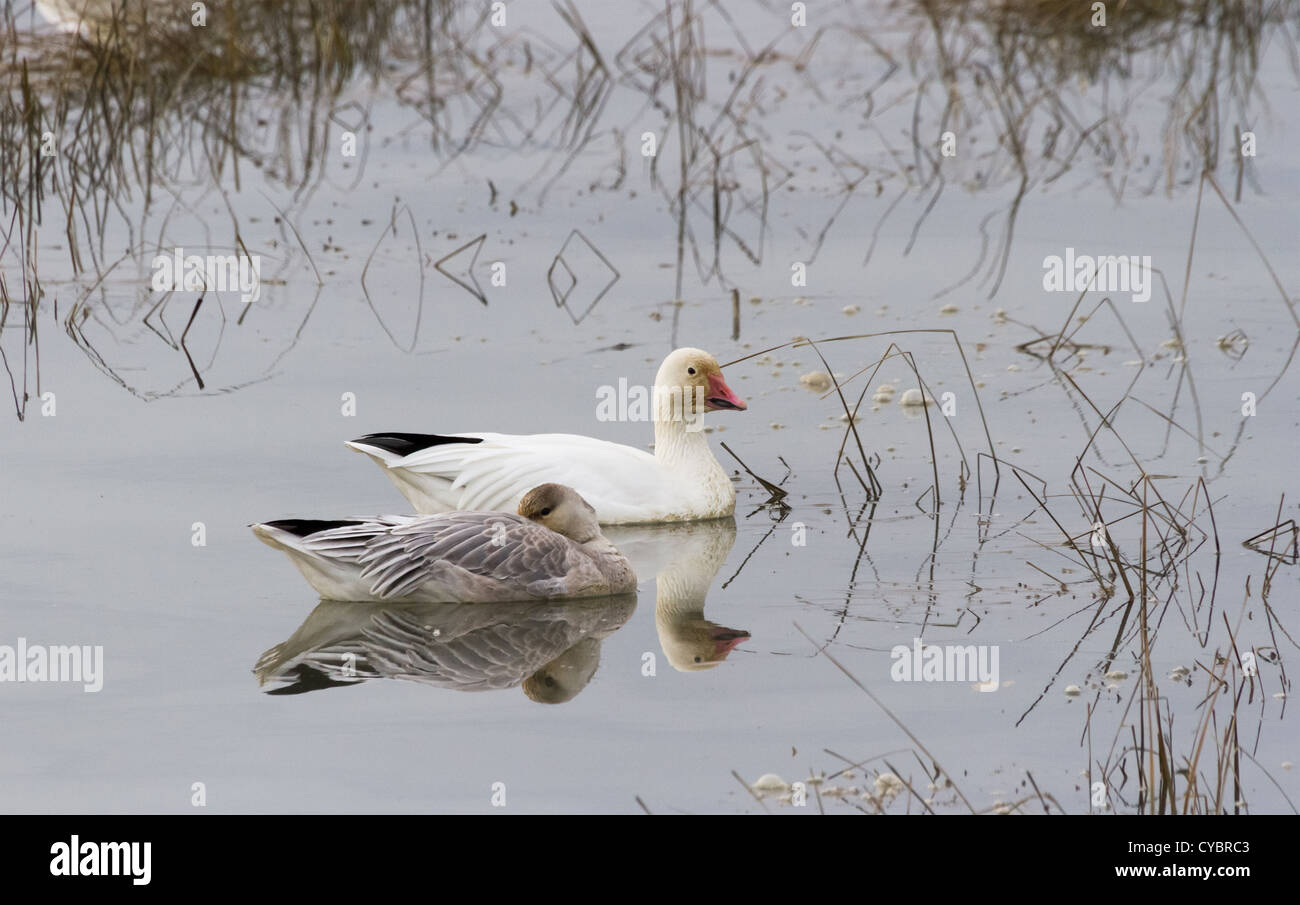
x=553 y=549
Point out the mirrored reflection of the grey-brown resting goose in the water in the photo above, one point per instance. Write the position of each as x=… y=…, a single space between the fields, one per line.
x=551 y=651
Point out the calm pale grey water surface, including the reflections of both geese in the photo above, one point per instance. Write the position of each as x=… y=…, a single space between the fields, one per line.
x=822 y=150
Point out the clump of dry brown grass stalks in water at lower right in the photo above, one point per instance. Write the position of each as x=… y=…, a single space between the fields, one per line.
x=1156 y=562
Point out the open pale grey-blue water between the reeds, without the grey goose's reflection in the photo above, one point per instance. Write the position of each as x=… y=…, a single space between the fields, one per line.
x=99 y=501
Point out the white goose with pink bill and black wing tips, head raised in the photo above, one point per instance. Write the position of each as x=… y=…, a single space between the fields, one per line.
x=489 y=471
